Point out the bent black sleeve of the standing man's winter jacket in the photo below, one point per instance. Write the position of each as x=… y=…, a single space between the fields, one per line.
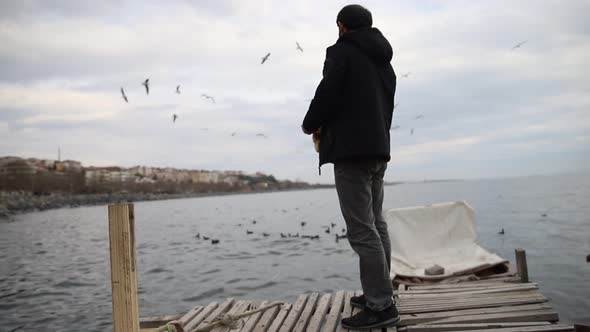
x=324 y=105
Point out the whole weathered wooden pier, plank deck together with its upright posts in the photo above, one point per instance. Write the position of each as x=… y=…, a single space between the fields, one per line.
x=506 y=304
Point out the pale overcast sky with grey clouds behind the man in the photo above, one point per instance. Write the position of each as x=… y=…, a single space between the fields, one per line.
x=488 y=110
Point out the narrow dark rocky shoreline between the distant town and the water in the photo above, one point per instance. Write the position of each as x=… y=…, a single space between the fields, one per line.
x=15 y=203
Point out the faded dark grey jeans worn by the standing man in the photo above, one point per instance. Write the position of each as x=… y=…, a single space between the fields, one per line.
x=360 y=191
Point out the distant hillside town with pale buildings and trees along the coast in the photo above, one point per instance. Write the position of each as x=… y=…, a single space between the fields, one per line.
x=42 y=176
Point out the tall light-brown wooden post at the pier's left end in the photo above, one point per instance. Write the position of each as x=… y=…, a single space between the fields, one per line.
x=123 y=271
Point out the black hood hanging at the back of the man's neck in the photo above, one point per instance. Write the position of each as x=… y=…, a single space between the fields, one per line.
x=371 y=42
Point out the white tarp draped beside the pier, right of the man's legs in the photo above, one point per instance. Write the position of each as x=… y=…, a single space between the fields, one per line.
x=442 y=234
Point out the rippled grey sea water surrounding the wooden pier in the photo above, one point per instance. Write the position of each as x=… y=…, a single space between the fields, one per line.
x=55 y=272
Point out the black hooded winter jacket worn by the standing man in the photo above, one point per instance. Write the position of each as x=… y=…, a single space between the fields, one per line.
x=353 y=104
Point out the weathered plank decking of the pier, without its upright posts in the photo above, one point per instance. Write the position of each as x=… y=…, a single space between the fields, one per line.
x=502 y=305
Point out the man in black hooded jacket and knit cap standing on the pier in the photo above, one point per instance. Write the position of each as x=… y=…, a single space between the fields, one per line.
x=351 y=113
